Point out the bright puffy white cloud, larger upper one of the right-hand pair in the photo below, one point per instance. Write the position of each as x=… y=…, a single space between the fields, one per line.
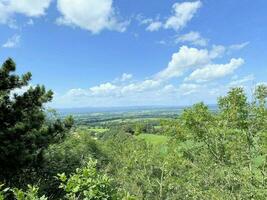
x=186 y=58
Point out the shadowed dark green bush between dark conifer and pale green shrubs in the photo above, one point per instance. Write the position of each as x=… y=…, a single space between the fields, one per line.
x=74 y=152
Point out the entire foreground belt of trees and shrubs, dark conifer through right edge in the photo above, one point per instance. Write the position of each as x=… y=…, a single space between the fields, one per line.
x=209 y=155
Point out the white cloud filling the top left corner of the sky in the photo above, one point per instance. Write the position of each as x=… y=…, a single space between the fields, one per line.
x=29 y=8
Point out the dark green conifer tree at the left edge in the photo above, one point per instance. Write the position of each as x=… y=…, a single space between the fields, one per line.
x=24 y=131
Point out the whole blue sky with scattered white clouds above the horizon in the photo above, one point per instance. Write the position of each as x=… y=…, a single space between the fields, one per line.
x=105 y=53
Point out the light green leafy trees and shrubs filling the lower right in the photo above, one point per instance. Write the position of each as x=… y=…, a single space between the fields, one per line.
x=211 y=155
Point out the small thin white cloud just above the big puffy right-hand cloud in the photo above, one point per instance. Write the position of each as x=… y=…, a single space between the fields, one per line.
x=193 y=38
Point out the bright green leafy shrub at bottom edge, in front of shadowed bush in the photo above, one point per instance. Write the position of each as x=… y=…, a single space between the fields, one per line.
x=87 y=183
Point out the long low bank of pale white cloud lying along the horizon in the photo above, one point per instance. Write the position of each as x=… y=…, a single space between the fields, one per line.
x=147 y=92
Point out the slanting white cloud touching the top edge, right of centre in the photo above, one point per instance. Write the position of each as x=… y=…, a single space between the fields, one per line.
x=182 y=14
